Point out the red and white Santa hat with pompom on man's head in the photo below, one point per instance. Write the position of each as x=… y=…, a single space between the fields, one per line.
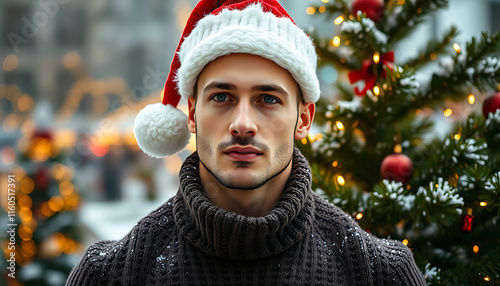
x=257 y=27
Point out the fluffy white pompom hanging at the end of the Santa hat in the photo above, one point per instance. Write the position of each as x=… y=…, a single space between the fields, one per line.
x=161 y=130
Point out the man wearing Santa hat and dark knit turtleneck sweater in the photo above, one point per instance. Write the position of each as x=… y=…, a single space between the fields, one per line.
x=245 y=213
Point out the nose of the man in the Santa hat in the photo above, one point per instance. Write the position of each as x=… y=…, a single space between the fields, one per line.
x=243 y=123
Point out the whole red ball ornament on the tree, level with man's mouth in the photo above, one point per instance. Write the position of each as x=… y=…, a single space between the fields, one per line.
x=397 y=167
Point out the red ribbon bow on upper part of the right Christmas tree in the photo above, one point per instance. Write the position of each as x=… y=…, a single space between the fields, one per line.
x=367 y=74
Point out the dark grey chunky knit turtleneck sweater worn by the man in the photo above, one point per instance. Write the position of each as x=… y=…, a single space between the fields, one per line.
x=304 y=240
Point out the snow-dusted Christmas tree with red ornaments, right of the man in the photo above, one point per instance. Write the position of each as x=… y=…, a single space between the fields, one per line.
x=377 y=154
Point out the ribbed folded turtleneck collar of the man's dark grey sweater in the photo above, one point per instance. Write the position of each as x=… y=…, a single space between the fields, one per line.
x=229 y=235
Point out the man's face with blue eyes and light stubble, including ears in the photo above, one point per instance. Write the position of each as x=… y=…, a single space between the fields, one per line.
x=245 y=115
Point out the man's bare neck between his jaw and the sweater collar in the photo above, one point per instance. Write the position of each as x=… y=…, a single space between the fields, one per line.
x=248 y=202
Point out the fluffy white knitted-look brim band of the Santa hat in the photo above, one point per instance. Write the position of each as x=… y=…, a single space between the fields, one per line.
x=251 y=31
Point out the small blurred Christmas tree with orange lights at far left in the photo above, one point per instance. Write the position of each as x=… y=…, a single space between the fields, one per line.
x=42 y=218
